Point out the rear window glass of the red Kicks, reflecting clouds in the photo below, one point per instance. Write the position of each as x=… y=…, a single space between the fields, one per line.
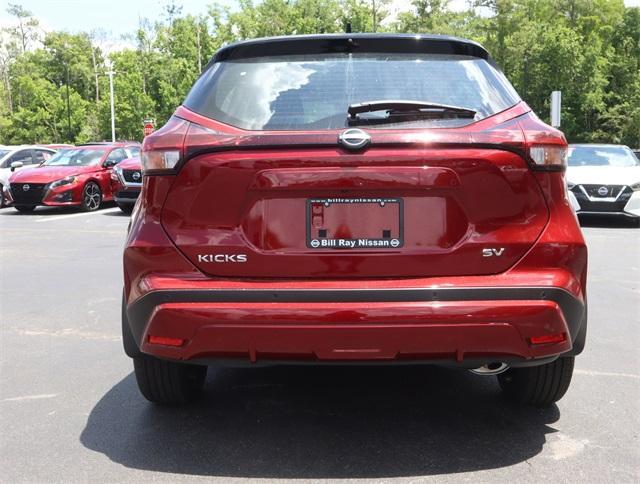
x=313 y=92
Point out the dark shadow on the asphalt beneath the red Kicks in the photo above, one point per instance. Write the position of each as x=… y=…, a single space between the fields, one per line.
x=322 y=422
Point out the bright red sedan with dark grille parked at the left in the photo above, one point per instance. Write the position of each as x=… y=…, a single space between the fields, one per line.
x=76 y=177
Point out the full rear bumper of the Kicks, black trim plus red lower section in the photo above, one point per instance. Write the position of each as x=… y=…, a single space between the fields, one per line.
x=460 y=326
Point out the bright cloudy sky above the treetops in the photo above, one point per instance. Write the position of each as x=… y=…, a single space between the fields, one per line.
x=119 y=17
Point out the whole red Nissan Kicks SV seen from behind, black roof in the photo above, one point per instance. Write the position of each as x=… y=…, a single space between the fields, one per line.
x=354 y=199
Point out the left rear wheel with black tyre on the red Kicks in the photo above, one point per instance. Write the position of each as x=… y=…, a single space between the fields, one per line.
x=168 y=383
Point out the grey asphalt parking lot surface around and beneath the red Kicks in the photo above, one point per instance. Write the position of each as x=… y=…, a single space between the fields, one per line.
x=70 y=410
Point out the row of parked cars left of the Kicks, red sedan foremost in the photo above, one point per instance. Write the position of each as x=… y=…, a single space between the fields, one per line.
x=82 y=176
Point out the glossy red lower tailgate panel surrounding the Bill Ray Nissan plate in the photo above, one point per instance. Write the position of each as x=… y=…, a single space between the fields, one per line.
x=448 y=218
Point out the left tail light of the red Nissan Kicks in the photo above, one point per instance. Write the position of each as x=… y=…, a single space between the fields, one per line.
x=163 y=150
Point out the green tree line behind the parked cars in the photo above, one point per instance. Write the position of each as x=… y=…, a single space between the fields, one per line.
x=55 y=89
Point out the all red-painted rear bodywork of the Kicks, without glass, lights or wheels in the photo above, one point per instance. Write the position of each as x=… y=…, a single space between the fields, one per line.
x=463 y=190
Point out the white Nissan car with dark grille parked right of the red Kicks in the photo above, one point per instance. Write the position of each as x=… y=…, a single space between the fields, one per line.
x=604 y=180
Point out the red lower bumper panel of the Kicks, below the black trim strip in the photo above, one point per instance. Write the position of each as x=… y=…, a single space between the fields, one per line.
x=361 y=331
